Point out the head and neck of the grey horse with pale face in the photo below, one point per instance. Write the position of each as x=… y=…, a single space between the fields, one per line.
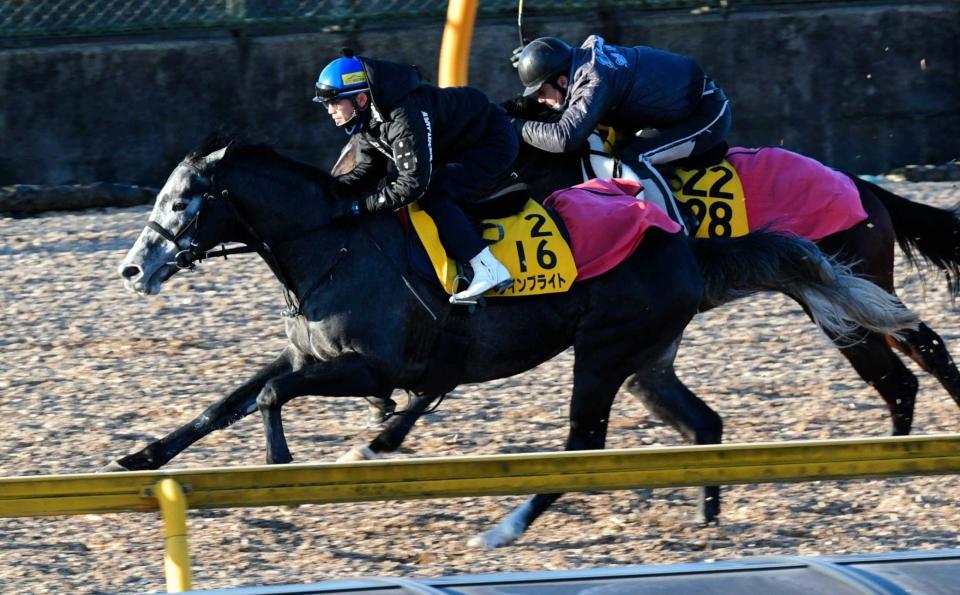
x=225 y=191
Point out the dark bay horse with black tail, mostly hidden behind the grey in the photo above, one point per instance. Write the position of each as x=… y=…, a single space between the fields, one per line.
x=924 y=233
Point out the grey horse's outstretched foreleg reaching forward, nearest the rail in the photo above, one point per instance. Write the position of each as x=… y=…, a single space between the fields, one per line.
x=221 y=414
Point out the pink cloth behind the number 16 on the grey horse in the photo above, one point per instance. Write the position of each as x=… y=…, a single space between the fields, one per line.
x=606 y=222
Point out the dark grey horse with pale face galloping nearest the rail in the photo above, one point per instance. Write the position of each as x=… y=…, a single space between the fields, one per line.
x=361 y=324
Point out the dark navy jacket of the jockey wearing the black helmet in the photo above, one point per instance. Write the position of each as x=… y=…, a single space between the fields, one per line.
x=626 y=88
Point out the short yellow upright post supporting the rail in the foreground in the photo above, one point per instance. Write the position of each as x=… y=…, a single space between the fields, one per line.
x=176 y=559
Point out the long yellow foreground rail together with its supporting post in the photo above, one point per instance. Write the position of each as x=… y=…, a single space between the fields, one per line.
x=446 y=477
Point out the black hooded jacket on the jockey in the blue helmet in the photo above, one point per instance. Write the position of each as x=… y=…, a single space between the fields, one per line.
x=415 y=125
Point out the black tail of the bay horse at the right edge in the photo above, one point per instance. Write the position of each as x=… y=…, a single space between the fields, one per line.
x=922 y=231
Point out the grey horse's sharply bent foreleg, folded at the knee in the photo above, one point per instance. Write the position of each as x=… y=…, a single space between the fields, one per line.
x=344 y=376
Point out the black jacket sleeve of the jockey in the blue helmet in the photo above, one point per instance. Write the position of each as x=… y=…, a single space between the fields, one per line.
x=409 y=136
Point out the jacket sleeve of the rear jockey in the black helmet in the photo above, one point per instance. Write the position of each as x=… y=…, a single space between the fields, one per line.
x=589 y=100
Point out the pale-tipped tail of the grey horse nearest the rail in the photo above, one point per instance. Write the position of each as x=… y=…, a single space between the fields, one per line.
x=838 y=301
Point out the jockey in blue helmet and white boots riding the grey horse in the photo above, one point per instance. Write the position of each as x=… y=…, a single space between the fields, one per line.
x=447 y=145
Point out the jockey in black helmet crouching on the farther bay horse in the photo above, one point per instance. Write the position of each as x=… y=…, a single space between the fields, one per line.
x=661 y=106
